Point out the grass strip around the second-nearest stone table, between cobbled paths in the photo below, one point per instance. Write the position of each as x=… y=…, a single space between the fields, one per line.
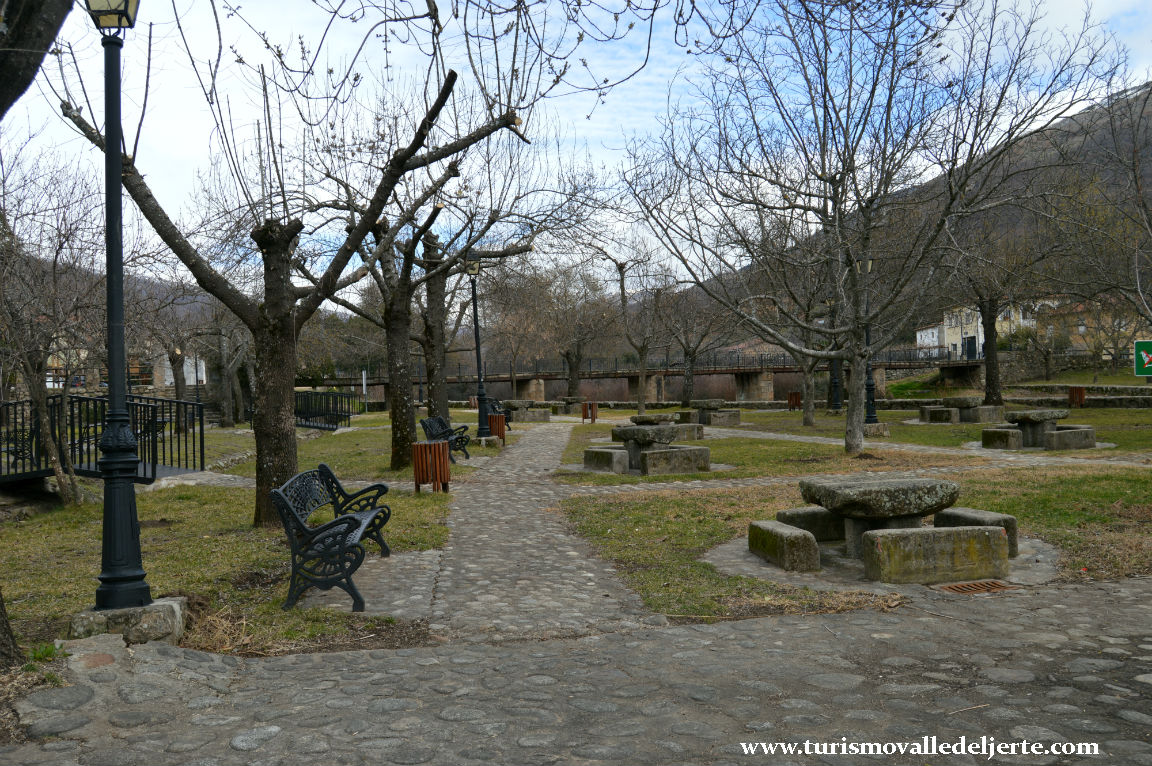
x=760 y=458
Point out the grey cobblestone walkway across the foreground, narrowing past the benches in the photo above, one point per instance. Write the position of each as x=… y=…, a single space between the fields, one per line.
x=549 y=659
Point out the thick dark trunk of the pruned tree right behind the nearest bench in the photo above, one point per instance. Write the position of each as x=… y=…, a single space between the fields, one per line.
x=275 y=418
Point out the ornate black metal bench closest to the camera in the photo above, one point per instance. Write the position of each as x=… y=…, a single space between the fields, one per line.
x=327 y=556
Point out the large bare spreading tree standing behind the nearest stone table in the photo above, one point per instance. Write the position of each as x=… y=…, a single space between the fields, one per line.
x=863 y=133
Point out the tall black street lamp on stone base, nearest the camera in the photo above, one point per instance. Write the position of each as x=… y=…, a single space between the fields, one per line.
x=123 y=582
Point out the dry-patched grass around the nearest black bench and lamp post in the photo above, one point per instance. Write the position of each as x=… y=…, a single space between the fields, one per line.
x=196 y=542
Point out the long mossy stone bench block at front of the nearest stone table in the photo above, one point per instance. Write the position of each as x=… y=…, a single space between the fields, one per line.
x=929 y=555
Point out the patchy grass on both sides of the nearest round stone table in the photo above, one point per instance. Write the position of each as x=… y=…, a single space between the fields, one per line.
x=1102 y=519
